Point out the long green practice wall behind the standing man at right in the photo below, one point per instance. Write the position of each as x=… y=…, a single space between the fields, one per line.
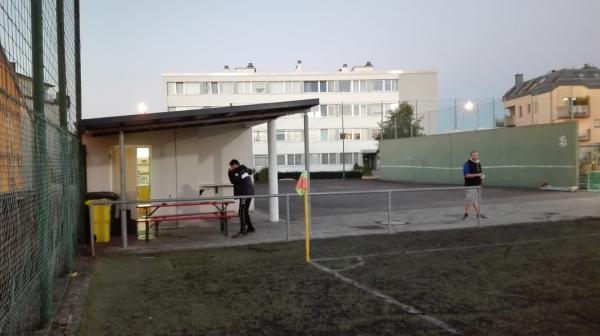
x=512 y=157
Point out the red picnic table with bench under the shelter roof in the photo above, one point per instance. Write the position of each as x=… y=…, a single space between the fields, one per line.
x=150 y=218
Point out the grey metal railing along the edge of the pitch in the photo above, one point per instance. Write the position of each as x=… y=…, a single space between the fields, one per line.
x=389 y=193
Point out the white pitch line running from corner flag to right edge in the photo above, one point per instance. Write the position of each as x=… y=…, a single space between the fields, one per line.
x=456 y=248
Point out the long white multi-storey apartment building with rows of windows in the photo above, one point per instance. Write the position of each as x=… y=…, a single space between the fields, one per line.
x=344 y=128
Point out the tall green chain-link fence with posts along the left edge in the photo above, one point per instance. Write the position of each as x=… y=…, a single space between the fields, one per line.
x=41 y=182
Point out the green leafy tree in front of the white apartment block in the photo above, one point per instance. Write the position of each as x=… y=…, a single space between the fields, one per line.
x=399 y=123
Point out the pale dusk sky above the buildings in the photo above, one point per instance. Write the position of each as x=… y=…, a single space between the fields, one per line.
x=476 y=46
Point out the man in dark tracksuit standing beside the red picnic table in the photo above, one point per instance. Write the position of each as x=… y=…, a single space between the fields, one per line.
x=241 y=178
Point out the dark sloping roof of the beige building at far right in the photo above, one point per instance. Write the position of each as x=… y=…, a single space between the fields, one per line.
x=587 y=76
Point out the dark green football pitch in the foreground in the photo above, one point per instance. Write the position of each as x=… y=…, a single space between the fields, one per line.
x=536 y=279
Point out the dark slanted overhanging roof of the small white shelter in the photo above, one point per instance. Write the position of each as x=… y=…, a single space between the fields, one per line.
x=249 y=114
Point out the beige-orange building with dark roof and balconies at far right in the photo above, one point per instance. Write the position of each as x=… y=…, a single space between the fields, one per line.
x=560 y=96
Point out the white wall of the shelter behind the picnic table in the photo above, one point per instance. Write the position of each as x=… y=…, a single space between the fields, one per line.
x=181 y=160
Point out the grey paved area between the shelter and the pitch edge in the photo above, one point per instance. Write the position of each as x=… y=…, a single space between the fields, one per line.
x=337 y=215
